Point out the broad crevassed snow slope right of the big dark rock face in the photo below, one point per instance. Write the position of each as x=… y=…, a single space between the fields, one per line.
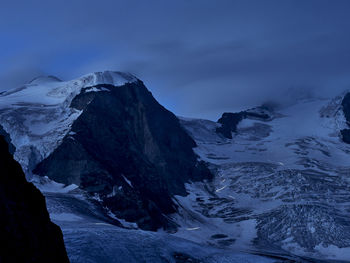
x=281 y=185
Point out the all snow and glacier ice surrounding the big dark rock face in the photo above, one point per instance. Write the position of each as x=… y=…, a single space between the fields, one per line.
x=281 y=189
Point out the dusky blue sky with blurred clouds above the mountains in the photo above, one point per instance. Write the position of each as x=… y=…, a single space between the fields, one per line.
x=198 y=57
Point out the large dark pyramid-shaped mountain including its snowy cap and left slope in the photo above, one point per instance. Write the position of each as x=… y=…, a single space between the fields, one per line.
x=105 y=133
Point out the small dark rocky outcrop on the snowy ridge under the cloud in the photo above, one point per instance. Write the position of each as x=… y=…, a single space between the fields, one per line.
x=229 y=121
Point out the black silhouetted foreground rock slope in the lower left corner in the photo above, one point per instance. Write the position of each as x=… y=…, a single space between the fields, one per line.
x=27 y=234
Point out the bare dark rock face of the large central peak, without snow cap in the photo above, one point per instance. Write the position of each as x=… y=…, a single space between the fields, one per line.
x=129 y=151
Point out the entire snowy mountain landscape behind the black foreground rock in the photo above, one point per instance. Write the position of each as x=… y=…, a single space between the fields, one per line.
x=107 y=155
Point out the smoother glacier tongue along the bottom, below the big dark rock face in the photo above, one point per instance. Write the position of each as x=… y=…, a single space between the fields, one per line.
x=92 y=237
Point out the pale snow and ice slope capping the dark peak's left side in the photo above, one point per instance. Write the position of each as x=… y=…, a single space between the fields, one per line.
x=37 y=116
